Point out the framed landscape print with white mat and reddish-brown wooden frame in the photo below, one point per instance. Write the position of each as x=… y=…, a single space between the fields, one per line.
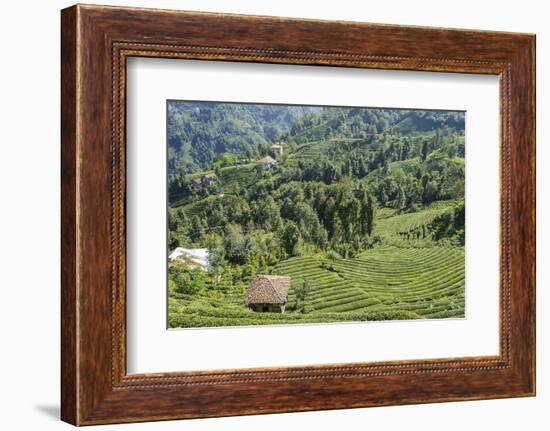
x=265 y=215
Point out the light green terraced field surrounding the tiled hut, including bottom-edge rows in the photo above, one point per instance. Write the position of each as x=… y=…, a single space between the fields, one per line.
x=384 y=283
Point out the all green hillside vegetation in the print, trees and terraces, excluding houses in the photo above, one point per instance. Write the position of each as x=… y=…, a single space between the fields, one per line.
x=364 y=209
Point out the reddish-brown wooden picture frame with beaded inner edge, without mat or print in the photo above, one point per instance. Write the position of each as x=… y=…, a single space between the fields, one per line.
x=95 y=43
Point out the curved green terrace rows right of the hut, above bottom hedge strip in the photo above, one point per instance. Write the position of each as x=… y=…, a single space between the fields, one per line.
x=425 y=281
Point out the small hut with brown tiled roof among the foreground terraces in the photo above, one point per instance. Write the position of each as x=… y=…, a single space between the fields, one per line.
x=268 y=293
